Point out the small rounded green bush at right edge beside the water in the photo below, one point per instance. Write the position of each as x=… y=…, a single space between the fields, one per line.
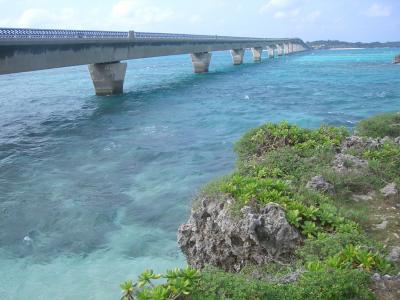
x=380 y=126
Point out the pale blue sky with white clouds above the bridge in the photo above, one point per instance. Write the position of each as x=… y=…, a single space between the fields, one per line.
x=349 y=20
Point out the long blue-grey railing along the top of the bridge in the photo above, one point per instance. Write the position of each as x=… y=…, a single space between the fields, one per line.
x=49 y=34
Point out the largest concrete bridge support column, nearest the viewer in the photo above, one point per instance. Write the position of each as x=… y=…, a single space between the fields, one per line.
x=108 y=78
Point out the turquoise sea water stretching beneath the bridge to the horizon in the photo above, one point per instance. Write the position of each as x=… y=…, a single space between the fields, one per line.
x=92 y=190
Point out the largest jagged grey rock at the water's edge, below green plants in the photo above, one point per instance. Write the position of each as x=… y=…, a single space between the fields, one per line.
x=213 y=237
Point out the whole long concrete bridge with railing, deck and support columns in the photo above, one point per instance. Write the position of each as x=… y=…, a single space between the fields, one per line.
x=24 y=50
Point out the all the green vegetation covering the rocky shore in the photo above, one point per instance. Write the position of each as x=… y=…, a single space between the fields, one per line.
x=275 y=162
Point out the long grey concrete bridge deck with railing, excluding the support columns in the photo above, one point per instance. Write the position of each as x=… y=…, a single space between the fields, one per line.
x=32 y=49
